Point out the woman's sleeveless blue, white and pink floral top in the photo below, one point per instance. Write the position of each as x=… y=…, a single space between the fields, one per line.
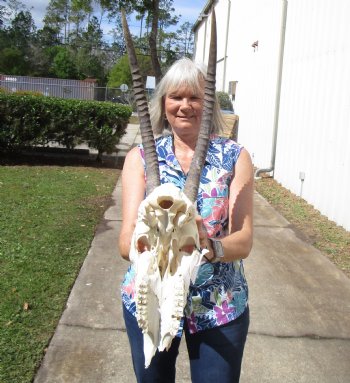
x=220 y=292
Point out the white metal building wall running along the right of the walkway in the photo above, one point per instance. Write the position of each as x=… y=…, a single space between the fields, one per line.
x=314 y=125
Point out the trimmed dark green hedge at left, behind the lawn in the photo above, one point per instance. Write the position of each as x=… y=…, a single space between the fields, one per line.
x=32 y=120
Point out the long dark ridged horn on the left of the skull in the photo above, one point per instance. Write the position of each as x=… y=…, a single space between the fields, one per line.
x=151 y=159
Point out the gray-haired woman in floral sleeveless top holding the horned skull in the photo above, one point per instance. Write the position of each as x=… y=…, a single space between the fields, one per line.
x=216 y=317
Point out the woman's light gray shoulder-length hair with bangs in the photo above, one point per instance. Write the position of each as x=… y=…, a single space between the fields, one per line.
x=182 y=72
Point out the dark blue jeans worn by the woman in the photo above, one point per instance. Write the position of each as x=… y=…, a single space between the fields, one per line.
x=215 y=354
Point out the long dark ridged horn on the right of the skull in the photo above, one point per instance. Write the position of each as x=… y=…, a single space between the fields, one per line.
x=200 y=153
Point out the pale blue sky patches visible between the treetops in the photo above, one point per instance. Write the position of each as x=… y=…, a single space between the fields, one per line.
x=188 y=9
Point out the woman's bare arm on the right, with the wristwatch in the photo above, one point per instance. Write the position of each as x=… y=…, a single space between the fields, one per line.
x=238 y=243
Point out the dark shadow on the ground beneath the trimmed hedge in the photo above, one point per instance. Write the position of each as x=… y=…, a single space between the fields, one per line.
x=59 y=157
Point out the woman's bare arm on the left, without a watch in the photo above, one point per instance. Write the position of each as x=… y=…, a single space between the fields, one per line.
x=133 y=191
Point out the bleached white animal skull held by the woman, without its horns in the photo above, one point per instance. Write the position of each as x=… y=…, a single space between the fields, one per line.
x=166 y=226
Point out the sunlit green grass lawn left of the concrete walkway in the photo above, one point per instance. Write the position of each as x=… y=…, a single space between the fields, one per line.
x=47 y=221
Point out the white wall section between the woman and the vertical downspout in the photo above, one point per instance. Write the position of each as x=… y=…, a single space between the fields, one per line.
x=255 y=69
